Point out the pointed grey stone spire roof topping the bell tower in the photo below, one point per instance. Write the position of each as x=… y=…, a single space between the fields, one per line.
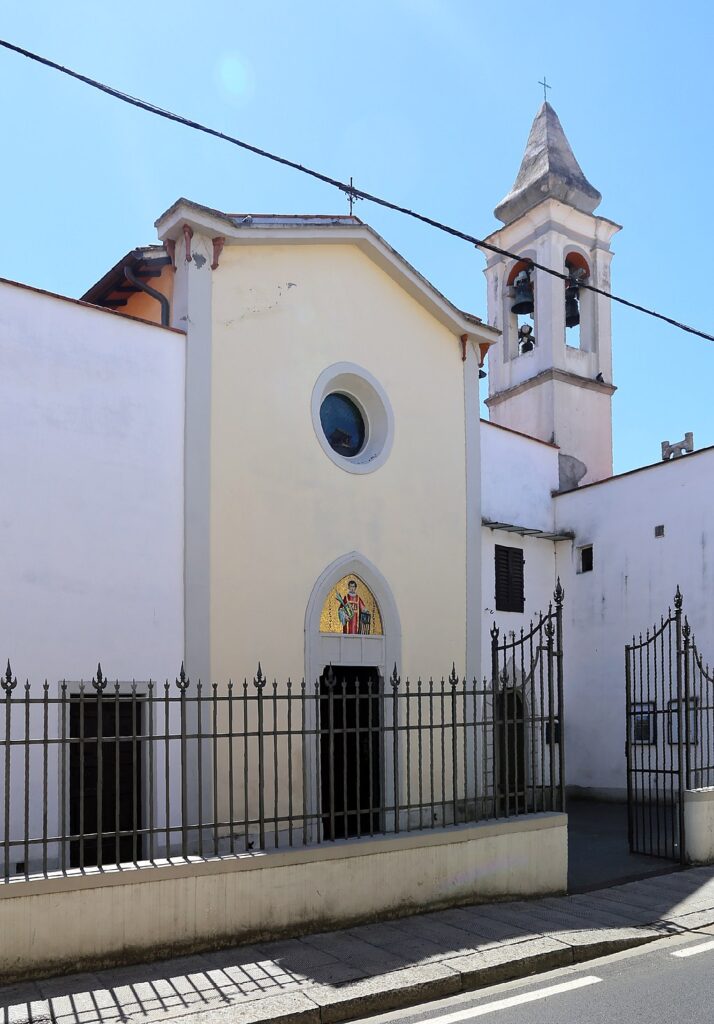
x=549 y=170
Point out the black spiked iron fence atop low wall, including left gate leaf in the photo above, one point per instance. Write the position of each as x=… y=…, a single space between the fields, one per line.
x=139 y=774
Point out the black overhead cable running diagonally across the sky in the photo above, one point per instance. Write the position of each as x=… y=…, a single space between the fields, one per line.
x=348 y=188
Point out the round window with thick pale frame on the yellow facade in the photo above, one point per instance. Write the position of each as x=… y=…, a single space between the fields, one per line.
x=353 y=418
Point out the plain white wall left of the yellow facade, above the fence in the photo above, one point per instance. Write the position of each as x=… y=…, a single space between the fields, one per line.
x=92 y=470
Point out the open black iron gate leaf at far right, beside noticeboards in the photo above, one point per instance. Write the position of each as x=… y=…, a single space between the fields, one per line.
x=670 y=733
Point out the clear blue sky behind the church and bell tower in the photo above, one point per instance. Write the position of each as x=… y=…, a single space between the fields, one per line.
x=428 y=103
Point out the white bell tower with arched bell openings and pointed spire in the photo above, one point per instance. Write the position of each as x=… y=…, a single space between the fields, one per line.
x=552 y=374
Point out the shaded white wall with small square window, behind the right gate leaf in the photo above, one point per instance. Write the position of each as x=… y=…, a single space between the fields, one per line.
x=634 y=582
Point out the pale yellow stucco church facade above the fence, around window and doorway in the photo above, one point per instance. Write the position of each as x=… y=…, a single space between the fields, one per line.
x=281 y=510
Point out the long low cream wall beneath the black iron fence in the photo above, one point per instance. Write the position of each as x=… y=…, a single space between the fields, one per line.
x=68 y=924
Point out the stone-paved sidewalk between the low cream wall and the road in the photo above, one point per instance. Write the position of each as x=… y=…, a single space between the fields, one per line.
x=374 y=968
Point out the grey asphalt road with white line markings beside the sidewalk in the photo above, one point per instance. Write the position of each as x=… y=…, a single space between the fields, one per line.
x=669 y=982
